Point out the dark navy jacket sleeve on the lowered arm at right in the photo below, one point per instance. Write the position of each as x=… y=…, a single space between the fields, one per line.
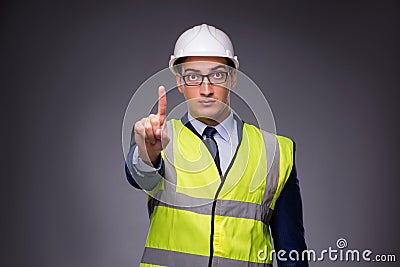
x=287 y=223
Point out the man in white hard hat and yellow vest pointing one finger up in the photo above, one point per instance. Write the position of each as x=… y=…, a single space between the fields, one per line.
x=218 y=187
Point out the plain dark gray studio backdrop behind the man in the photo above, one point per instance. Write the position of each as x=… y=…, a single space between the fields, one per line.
x=69 y=68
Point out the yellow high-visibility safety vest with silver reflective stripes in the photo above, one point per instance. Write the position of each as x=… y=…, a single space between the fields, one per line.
x=198 y=218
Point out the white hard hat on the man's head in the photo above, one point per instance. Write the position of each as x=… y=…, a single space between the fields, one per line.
x=203 y=40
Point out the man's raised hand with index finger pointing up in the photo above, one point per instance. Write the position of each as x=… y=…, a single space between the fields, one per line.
x=151 y=132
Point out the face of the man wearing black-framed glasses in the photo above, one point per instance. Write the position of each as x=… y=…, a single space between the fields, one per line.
x=207 y=102
